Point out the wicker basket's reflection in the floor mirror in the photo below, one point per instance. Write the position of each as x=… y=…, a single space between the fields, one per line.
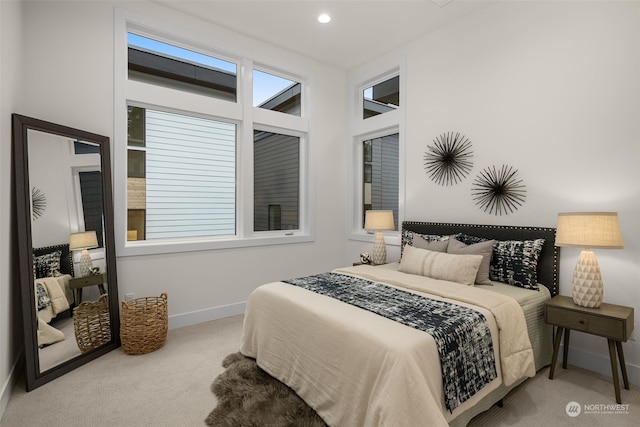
x=91 y=324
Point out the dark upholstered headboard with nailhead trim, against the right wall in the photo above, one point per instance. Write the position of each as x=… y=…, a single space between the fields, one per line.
x=549 y=257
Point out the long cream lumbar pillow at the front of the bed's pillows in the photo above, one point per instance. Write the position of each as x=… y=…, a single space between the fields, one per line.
x=438 y=265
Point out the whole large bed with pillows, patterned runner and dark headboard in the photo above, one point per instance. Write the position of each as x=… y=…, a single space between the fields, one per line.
x=352 y=342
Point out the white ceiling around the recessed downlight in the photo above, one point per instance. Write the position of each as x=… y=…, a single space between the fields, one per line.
x=359 y=30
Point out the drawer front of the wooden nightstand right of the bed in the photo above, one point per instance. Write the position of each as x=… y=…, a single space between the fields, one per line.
x=585 y=322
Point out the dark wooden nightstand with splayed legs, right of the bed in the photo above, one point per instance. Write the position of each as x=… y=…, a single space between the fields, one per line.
x=614 y=322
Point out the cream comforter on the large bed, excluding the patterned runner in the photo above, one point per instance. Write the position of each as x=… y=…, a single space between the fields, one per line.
x=356 y=368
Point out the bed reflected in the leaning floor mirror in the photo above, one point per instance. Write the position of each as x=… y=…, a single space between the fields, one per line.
x=52 y=270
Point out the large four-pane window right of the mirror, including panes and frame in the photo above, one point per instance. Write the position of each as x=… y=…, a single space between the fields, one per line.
x=202 y=170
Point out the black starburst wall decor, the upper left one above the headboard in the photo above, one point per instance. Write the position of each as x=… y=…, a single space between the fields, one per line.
x=449 y=159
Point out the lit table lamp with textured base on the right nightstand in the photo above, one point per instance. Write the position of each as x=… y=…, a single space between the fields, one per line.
x=588 y=230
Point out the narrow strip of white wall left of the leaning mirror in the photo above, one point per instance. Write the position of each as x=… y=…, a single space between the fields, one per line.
x=10 y=82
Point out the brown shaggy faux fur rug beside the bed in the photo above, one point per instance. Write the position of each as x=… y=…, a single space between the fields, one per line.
x=249 y=397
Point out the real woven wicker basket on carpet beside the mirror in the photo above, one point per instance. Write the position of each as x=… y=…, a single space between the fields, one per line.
x=144 y=324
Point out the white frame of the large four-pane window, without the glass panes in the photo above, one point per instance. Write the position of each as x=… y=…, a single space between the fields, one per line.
x=242 y=113
